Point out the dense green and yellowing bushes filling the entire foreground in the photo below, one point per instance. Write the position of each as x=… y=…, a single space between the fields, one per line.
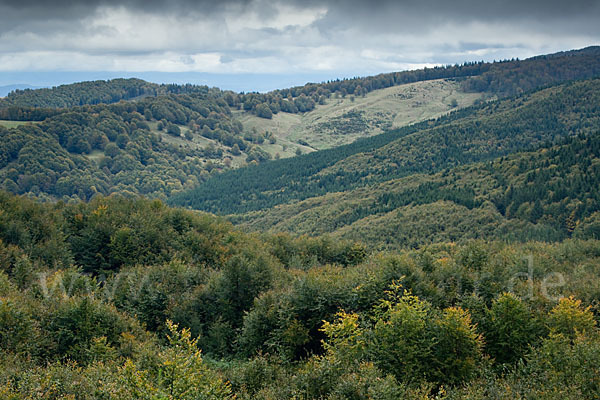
x=88 y=292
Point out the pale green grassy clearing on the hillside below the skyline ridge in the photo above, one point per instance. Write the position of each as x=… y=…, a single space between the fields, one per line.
x=343 y=120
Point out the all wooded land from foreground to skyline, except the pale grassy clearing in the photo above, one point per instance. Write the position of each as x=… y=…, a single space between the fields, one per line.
x=154 y=244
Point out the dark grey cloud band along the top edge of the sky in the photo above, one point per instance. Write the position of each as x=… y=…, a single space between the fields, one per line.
x=358 y=9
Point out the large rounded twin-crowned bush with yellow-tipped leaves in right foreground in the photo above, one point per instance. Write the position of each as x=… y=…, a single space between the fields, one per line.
x=413 y=343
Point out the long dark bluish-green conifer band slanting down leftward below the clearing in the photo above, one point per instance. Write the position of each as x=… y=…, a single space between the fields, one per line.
x=466 y=136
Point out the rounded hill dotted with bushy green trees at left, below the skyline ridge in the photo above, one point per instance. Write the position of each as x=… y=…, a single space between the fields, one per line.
x=143 y=147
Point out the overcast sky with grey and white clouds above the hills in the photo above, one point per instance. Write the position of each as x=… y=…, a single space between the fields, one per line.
x=264 y=44
